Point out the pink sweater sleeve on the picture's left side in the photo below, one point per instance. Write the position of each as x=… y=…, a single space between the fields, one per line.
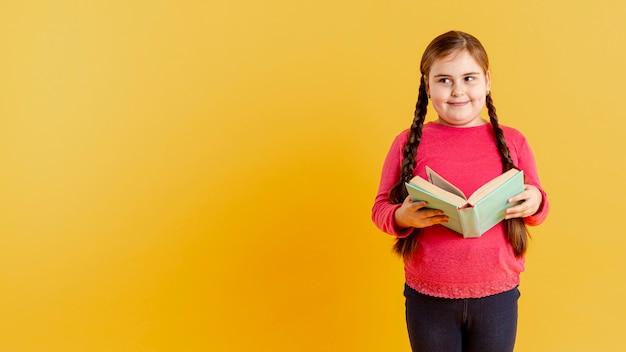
x=383 y=210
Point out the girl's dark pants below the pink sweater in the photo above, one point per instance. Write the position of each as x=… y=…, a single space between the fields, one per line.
x=486 y=324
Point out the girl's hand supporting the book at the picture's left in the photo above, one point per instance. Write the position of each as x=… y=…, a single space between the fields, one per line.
x=415 y=214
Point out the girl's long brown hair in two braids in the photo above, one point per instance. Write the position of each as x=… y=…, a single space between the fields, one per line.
x=442 y=46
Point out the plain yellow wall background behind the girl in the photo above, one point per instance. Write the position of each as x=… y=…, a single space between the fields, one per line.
x=198 y=175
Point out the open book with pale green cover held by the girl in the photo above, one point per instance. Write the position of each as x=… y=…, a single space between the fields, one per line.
x=471 y=216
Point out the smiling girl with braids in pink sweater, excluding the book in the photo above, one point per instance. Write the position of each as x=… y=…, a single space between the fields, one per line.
x=461 y=294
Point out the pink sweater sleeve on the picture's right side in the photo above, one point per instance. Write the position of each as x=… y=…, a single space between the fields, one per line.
x=526 y=162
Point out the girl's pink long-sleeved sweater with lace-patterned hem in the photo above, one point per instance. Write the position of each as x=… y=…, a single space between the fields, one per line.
x=445 y=264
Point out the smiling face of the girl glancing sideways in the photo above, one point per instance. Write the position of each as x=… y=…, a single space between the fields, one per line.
x=457 y=87
